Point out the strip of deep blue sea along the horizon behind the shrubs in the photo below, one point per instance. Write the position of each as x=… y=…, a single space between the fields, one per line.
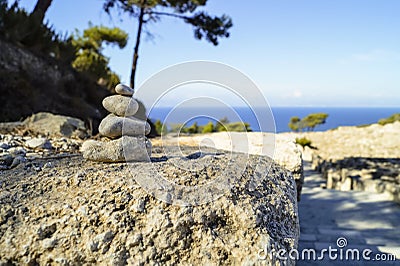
x=338 y=116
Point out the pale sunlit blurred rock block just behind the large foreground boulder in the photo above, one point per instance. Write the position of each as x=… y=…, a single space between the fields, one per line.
x=281 y=148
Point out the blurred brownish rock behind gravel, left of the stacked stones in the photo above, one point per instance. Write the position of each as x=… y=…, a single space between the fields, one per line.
x=56 y=125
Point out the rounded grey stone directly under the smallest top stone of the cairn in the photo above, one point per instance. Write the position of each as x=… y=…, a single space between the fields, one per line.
x=121 y=105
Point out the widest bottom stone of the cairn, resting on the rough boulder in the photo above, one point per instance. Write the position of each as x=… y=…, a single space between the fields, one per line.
x=136 y=149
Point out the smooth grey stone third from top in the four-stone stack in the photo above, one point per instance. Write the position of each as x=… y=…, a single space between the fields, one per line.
x=113 y=126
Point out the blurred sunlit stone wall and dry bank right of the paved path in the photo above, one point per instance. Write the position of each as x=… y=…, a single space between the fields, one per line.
x=358 y=158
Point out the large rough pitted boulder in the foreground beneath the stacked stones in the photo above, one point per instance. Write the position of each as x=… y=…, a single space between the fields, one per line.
x=80 y=212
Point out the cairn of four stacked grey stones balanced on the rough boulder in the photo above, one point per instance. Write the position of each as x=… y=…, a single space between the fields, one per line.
x=126 y=134
